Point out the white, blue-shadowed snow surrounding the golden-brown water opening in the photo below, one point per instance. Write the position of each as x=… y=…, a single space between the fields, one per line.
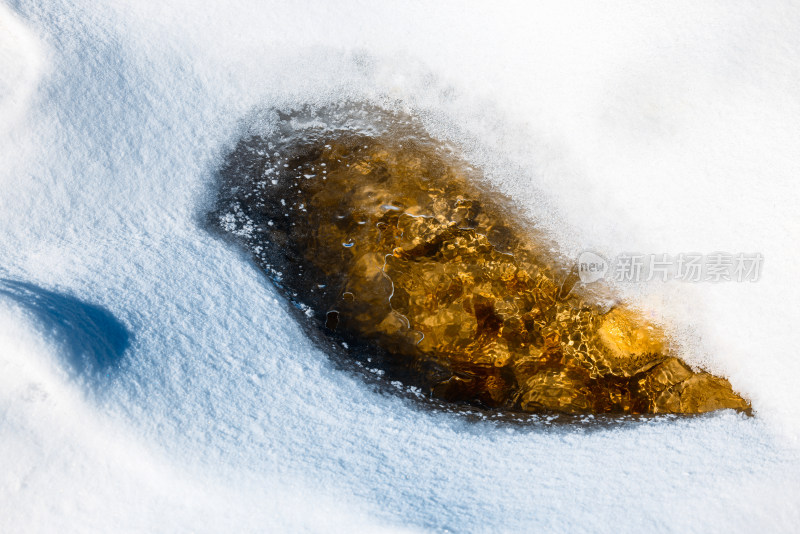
x=151 y=380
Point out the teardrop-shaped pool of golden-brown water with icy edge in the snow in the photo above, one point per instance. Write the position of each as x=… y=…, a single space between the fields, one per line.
x=393 y=245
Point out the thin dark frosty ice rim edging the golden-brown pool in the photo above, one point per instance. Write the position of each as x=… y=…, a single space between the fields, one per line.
x=278 y=132
